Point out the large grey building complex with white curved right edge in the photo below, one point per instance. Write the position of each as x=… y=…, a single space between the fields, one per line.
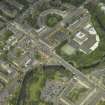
x=86 y=40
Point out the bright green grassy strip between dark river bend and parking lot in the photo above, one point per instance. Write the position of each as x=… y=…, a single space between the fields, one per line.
x=31 y=88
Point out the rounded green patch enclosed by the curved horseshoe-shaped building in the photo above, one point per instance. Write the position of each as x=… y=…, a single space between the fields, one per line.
x=52 y=19
